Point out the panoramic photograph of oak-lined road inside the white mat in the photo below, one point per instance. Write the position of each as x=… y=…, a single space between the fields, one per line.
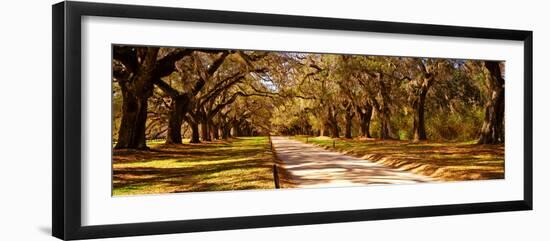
x=202 y=119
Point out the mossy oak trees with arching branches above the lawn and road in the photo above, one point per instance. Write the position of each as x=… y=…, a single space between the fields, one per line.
x=208 y=94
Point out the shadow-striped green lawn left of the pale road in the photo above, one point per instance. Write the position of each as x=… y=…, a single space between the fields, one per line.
x=238 y=164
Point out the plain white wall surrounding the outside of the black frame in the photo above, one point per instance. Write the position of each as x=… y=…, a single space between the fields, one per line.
x=25 y=120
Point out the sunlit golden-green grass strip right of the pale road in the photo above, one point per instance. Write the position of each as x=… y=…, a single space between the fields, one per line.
x=445 y=161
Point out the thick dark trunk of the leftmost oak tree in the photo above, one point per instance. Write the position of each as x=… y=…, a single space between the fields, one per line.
x=131 y=133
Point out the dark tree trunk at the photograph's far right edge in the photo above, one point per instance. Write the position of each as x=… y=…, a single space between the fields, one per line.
x=492 y=130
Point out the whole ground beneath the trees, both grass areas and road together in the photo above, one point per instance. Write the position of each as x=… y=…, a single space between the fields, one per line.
x=246 y=163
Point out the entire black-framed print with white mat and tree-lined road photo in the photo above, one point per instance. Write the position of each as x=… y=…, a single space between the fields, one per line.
x=169 y=120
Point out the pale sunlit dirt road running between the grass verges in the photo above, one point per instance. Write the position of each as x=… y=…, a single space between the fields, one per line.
x=312 y=166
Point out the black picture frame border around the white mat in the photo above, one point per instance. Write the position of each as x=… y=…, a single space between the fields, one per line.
x=66 y=198
